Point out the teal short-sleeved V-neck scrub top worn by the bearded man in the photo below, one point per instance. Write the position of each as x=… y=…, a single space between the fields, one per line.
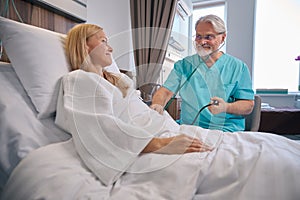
x=228 y=78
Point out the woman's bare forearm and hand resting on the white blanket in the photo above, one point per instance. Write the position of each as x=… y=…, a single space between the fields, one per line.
x=176 y=145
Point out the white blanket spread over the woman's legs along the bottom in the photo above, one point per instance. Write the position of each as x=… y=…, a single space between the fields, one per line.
x=244 y=166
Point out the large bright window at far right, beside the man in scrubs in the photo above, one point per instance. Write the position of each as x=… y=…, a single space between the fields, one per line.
x=277 y=44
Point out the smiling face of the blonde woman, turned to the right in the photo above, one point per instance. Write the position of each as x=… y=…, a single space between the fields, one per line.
x=99 y=50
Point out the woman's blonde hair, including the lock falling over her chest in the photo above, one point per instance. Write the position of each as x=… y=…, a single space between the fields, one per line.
x=77 y=53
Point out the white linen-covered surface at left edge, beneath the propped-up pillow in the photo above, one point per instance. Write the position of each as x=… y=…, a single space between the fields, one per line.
x=20 y=130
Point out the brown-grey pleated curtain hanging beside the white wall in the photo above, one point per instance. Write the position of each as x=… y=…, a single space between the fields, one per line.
x=151 y=22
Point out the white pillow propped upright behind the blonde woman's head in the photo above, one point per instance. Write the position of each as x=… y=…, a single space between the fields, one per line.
x=39 y=60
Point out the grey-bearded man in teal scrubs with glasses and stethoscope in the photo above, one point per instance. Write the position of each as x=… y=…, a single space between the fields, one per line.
x=208 y=76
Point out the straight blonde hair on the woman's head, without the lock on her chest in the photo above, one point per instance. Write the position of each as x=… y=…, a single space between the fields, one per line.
x=76 y=42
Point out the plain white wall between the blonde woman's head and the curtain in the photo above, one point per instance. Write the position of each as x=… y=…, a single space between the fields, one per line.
x=114 y=17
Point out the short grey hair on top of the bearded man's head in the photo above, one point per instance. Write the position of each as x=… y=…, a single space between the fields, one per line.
x=217 y=23
